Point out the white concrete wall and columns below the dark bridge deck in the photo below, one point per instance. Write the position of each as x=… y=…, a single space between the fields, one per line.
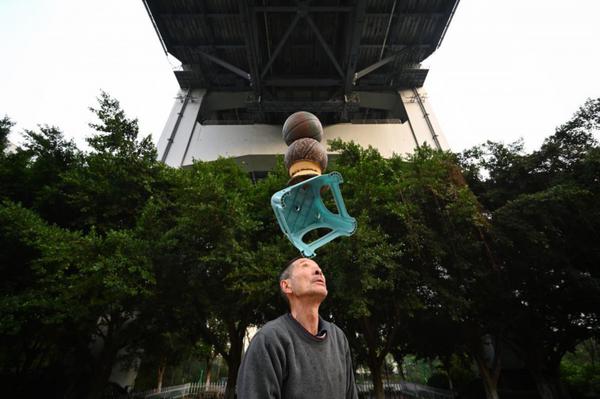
x=257 y=145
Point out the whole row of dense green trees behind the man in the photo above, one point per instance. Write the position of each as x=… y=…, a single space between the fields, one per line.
x=110 y=256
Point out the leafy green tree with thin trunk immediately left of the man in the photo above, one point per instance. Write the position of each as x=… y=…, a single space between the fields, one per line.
x=206 y=241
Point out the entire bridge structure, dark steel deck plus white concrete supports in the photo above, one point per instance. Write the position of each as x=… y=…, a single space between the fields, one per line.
x=247 y=65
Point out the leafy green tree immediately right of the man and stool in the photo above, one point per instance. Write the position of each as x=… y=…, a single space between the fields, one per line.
x=418 y=248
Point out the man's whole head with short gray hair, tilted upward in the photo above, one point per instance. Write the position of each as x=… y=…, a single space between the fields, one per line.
x=303 y=280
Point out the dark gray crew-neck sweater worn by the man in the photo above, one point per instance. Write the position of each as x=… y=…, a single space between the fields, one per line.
x=286 y=361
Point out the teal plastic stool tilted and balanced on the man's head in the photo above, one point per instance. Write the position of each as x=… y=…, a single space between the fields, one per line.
x=300 y=209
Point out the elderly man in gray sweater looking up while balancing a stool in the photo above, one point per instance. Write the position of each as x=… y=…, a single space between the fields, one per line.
x=298 y=355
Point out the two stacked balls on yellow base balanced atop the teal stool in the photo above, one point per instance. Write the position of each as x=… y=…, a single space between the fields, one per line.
x=305 y=157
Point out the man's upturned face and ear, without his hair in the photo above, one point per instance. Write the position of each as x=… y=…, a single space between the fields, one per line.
x=306 y=280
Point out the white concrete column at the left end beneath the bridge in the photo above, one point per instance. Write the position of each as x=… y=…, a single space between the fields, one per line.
x=178 y=131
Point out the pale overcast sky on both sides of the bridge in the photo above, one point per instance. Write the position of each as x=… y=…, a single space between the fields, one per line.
x=506 y=69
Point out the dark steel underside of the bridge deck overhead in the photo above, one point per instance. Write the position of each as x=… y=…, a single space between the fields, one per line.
x=260 y=60
